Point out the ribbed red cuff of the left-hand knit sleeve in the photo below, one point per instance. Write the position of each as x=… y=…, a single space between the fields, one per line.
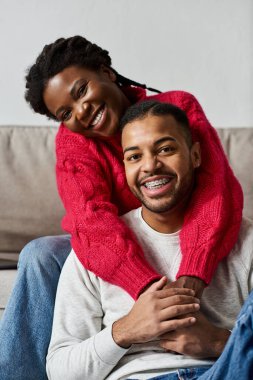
x=134 y=276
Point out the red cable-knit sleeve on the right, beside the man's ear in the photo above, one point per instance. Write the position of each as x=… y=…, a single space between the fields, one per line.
x=212 y=222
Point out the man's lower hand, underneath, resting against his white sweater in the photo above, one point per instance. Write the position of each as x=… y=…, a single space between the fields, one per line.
x=201 y=340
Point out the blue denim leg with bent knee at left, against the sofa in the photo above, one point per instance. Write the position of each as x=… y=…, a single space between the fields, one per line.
x=26 y=325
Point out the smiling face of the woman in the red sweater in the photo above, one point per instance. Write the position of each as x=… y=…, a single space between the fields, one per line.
x=87 y=102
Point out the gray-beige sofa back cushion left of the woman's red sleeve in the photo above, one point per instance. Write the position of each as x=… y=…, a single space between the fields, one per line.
x=29 y=203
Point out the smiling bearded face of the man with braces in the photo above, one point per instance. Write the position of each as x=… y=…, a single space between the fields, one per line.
x=158 y=162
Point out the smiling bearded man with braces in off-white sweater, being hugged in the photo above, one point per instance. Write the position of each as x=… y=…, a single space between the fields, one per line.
x=98 y=331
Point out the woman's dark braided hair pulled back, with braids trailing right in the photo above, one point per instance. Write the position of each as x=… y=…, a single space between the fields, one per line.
x=62 y=53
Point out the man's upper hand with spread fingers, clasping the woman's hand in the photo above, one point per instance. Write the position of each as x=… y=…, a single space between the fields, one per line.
x=154 y=314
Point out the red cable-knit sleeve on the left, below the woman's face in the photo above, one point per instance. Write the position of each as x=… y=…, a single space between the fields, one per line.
x=101 y=240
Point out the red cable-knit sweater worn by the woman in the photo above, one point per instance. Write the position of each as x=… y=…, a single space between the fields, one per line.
x=92 y=185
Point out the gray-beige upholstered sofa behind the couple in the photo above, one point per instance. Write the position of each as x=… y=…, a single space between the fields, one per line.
x=29 y=202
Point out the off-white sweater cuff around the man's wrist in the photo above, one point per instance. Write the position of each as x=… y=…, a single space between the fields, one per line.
x=106 y=348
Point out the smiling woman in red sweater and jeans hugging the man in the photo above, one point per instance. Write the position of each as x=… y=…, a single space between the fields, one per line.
x=72 y=81
